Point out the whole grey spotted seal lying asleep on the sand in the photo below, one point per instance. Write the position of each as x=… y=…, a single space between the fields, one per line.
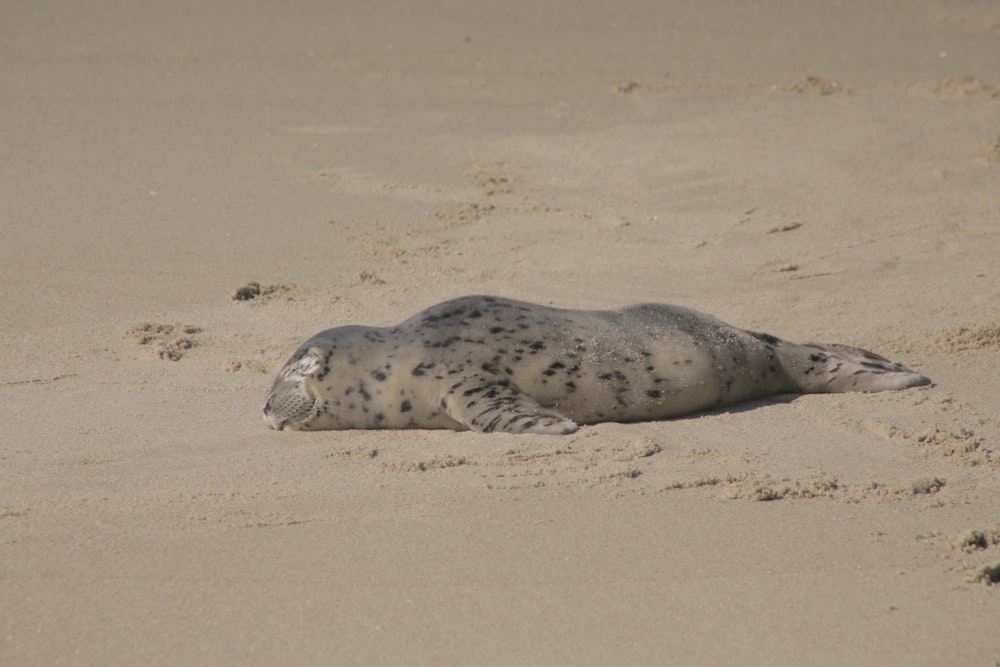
x=486 y=363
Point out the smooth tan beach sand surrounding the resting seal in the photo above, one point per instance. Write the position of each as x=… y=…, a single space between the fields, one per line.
x=826 y=173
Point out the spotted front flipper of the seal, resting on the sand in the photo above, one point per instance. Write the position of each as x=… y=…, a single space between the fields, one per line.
x=487 y=404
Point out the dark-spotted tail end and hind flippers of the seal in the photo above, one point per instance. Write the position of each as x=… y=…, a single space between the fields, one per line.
x=830 y=368
